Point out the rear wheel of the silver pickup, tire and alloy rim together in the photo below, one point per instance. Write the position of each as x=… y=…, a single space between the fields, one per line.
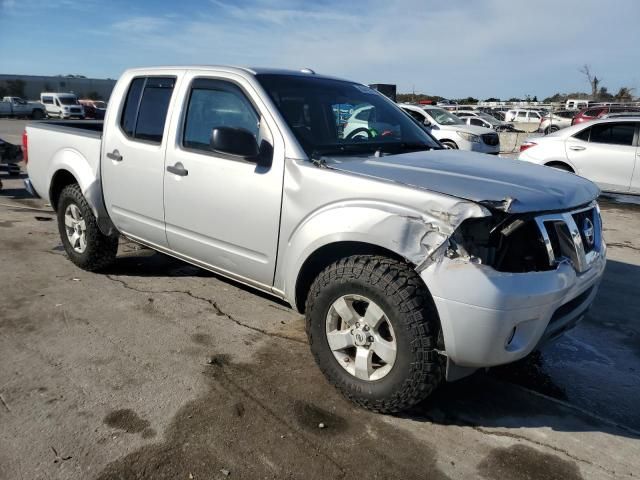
x=83 y=241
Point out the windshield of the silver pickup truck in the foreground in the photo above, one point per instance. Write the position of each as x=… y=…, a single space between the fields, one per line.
x=338 y=117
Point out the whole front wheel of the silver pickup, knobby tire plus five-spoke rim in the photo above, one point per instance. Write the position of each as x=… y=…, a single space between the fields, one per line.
x=373 y=331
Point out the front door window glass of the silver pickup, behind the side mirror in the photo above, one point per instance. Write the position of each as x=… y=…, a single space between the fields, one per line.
x=212 y=104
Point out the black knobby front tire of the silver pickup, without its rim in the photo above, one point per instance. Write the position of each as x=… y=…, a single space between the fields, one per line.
x=401 y=294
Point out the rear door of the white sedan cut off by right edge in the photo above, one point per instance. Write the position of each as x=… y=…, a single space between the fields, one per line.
x=606 y=154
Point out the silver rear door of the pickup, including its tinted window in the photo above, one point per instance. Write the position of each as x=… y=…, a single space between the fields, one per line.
x=132 y=162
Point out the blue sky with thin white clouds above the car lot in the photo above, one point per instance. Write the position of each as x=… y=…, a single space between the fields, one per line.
x=455 y=49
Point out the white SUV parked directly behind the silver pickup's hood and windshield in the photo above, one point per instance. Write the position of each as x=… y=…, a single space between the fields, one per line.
x=452 y=132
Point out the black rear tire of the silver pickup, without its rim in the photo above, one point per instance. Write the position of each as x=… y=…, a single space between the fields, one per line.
x=101 y=249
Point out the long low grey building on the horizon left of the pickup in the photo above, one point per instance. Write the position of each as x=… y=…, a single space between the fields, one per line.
x=82 y=87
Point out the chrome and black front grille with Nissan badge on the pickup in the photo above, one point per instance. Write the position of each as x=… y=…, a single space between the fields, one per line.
x=574 y=236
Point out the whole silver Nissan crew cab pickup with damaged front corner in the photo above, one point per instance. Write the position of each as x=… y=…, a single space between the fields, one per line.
x=412 y=263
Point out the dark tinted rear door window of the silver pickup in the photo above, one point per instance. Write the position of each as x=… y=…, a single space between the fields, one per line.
x=146 y=106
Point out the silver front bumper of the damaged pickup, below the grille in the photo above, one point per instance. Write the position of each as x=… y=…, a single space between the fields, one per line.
x=491 y=318
